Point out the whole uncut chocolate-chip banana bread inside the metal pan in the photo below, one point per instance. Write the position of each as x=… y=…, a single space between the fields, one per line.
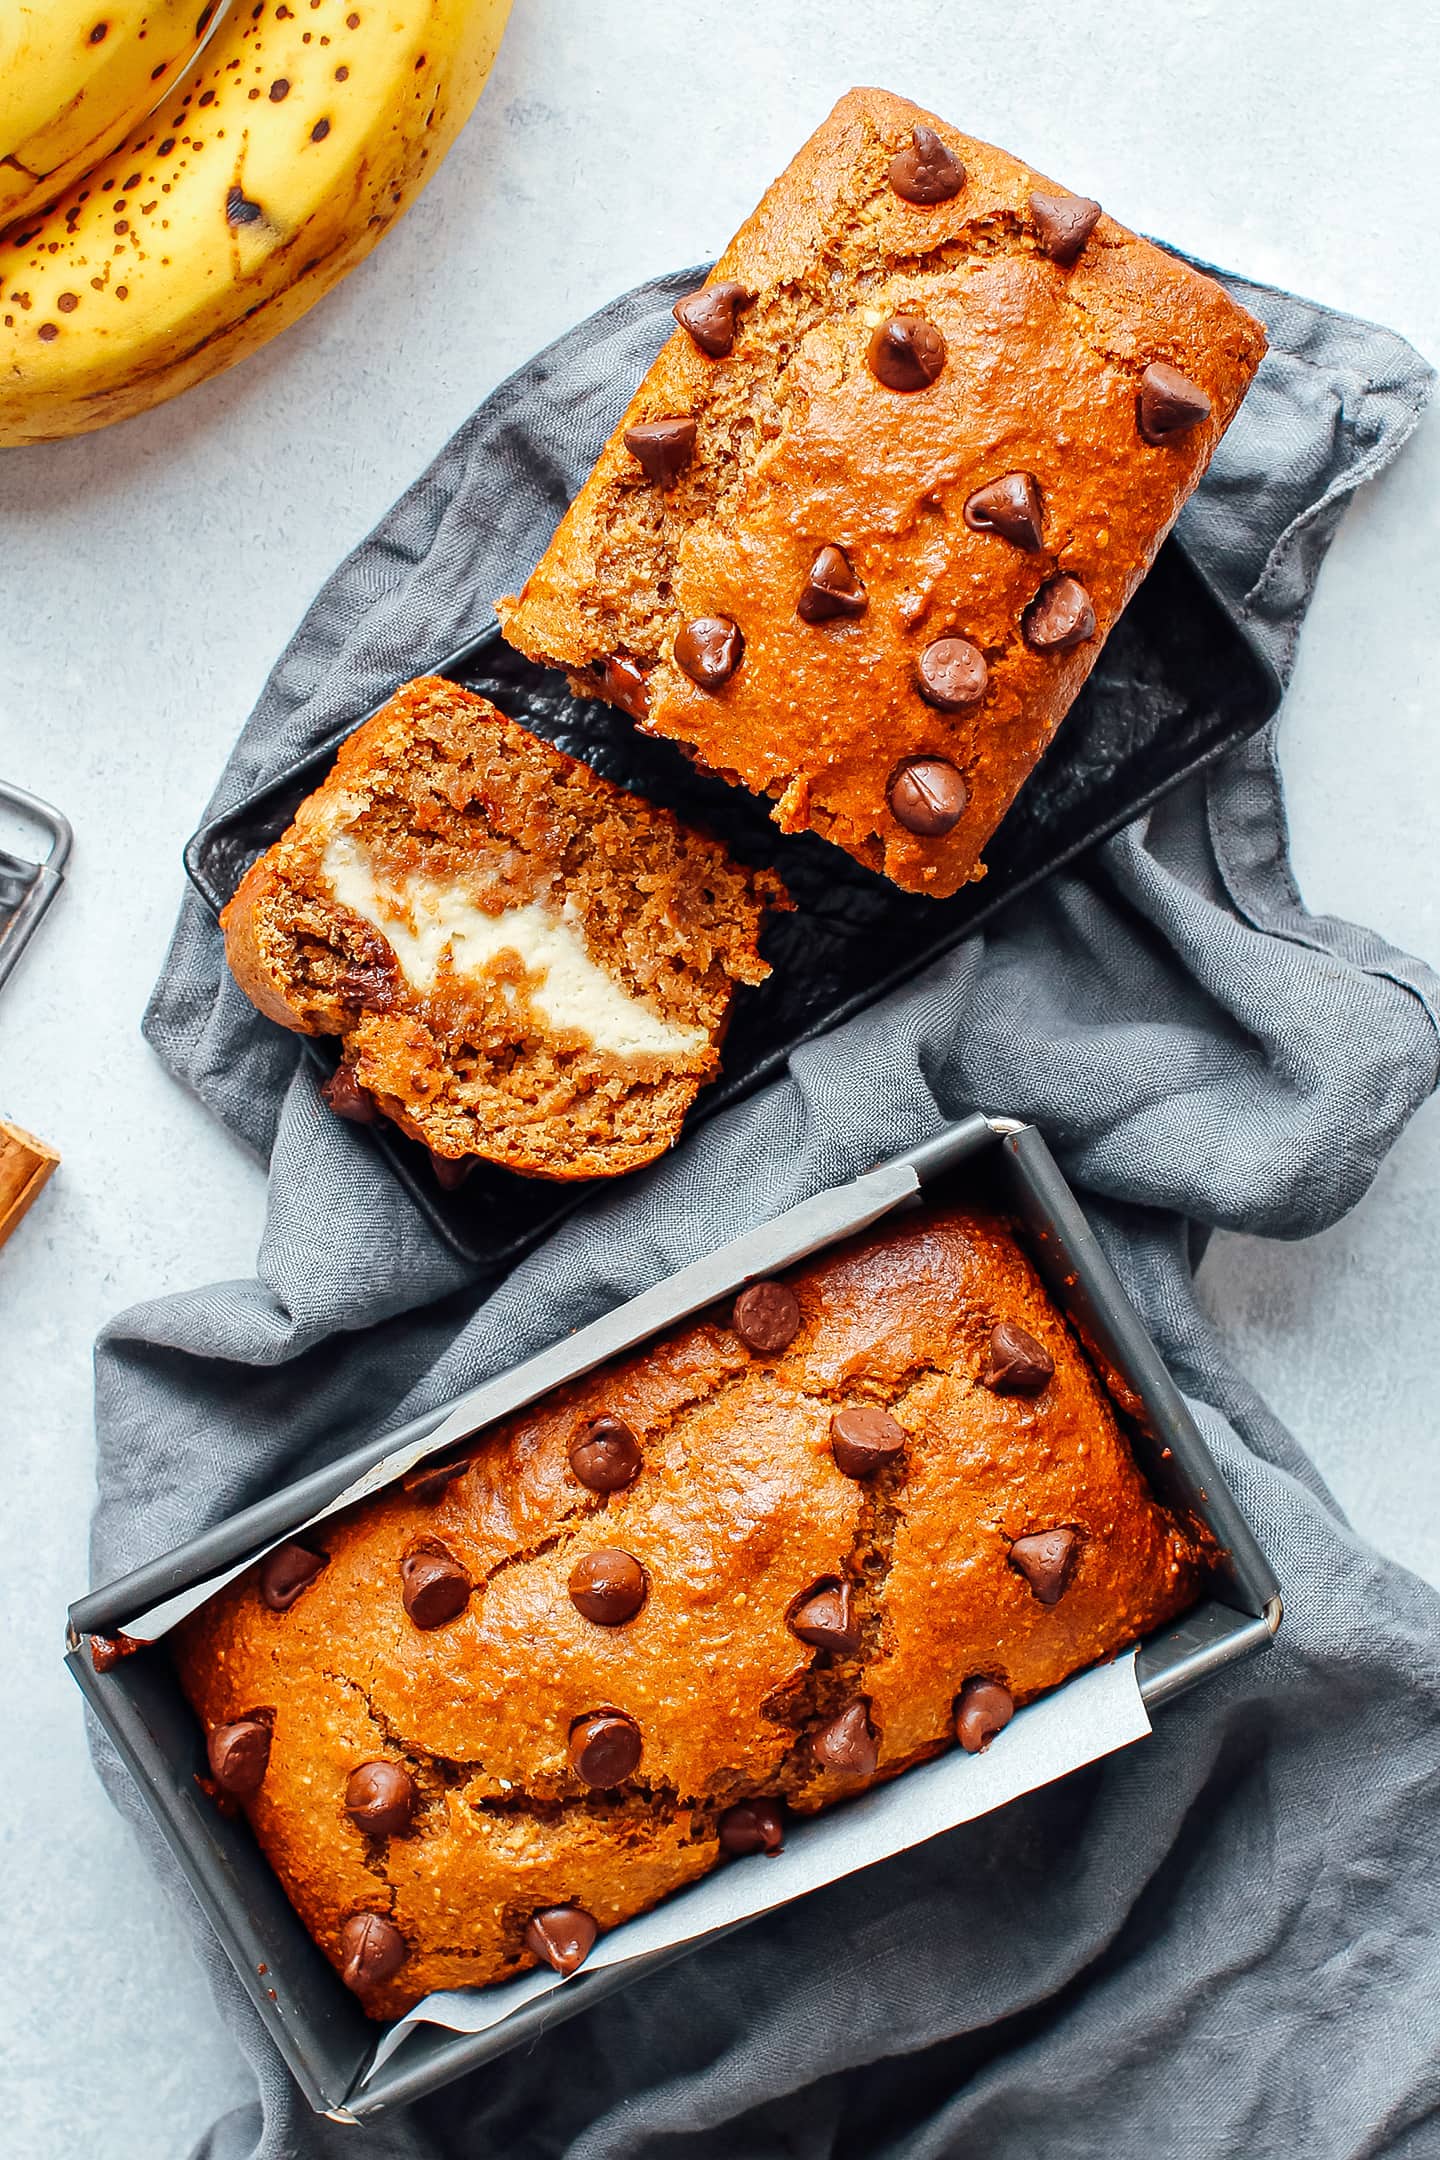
x=785 y=1552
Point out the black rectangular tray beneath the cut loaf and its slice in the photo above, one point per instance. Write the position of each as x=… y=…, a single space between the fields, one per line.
x=1176 y=688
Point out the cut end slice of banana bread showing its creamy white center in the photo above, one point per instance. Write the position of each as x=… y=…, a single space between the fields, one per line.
x=521 y=960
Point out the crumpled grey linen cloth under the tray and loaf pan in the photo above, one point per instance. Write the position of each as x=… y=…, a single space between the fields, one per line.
x=1217 y=1943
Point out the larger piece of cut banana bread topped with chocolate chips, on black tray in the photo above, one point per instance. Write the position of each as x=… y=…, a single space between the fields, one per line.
x=871 y=515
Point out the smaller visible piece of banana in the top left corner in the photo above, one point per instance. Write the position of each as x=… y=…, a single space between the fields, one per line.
x=77 y=77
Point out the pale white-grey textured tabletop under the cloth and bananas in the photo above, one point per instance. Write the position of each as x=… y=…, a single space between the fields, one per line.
x=152 y=573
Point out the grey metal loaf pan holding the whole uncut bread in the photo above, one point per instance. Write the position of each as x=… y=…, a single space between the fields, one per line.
x=316 y=2025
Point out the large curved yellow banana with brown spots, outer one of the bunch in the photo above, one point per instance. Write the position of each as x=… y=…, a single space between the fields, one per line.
x=303 y=131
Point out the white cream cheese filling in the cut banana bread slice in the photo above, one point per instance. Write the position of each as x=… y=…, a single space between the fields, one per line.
x=424 y=919
